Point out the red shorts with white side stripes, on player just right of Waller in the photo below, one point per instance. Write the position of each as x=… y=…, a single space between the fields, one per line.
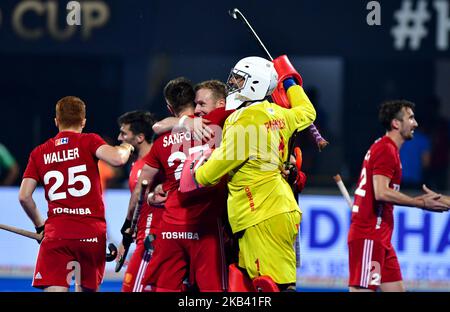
x=136 y=268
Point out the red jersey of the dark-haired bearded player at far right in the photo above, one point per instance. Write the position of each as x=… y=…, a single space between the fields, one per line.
x=372 y=219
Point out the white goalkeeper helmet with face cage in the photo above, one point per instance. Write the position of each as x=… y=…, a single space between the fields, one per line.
x=252 y=79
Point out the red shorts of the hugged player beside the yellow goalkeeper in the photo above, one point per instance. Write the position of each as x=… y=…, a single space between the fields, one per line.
x=181 y=253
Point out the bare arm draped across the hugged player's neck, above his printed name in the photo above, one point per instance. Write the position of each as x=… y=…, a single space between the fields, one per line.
x=198 y=125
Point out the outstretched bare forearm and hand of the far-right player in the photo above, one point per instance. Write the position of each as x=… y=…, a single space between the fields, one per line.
x=384 y=193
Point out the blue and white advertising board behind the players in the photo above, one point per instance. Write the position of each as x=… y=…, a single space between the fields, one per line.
x=421 y=239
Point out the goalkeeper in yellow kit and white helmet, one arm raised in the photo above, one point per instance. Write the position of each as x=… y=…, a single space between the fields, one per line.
x=262 y=209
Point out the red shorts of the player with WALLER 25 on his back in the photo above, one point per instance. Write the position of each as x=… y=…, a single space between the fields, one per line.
x=60 y=261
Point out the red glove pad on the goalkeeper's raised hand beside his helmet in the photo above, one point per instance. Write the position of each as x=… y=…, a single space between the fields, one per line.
x=285 y=70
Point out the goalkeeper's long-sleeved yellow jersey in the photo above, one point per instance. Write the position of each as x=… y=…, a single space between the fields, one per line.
x=254 y=147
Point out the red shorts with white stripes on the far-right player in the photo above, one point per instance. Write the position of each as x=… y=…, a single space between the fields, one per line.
x=371 y=264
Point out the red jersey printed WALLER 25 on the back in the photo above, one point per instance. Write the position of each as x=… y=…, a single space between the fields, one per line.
x=67 y=167
